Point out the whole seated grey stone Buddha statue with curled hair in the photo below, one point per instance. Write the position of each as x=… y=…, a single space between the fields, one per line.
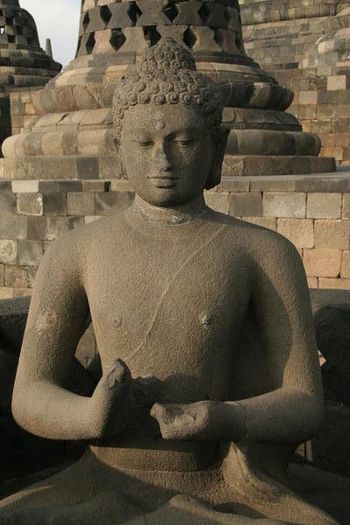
x=210 y=375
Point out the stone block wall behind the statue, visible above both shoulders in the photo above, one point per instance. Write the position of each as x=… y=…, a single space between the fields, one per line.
x=313 y=212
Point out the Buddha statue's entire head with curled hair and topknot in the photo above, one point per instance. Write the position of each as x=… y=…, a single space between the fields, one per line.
x=168 y=127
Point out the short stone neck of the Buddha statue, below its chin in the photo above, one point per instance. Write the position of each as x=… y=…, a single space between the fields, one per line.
x=170 y=216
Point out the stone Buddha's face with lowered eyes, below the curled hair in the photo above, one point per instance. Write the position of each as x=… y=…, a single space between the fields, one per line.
x=167 y=152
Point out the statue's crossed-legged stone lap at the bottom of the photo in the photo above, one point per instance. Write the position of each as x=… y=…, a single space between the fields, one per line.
x=128 y=493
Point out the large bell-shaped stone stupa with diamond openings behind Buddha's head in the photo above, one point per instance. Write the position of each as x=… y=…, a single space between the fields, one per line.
x=71 y=135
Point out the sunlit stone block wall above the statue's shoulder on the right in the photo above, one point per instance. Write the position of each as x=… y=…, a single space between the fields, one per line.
x=313 y=213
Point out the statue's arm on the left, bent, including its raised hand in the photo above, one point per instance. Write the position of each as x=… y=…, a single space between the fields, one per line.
x=41 y=404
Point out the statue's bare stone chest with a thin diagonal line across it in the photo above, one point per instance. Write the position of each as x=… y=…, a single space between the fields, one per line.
x=168 y=309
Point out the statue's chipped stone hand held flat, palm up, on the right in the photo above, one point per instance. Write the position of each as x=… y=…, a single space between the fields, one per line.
x=204 y=420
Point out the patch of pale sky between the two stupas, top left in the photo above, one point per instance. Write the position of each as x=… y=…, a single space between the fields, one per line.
x=58 y=20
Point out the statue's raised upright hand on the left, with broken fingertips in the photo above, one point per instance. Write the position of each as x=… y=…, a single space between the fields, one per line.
x=111 y=401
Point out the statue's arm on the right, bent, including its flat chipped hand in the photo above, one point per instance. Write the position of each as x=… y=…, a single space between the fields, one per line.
x=293 y=410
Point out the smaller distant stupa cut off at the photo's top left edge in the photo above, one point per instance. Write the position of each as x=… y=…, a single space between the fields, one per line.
x=23 y=64
